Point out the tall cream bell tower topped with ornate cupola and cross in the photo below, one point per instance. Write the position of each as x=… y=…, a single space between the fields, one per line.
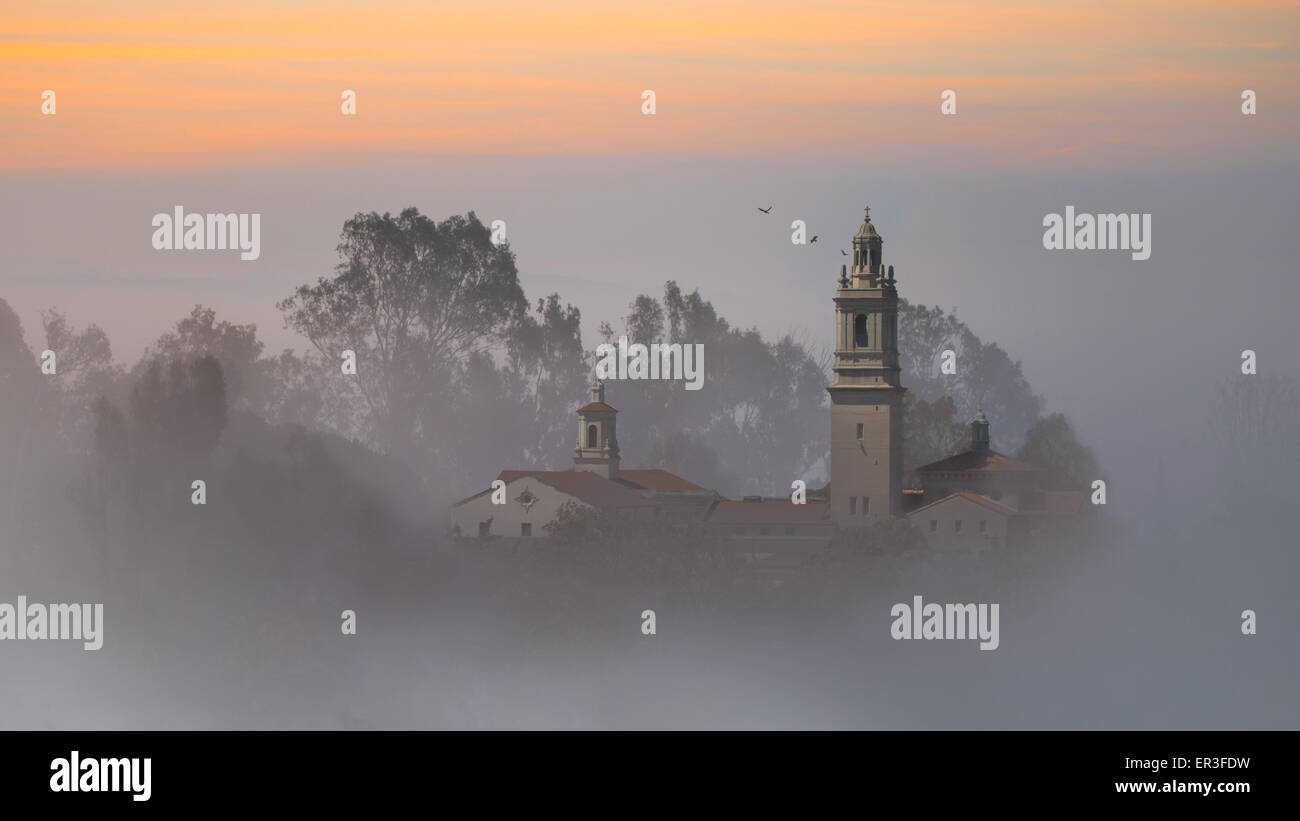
x=866 y=397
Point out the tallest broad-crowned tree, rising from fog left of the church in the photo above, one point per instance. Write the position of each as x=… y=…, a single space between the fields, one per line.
x=414 y=299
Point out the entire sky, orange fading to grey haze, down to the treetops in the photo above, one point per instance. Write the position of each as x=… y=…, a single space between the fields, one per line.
x=532 y=114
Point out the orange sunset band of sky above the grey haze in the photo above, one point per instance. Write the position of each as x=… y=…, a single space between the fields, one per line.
x=188 y=85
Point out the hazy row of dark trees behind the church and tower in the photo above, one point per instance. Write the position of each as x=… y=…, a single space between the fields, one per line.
x=458 y=376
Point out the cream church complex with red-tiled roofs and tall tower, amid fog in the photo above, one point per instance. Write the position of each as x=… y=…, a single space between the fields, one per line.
x=974 y=501
